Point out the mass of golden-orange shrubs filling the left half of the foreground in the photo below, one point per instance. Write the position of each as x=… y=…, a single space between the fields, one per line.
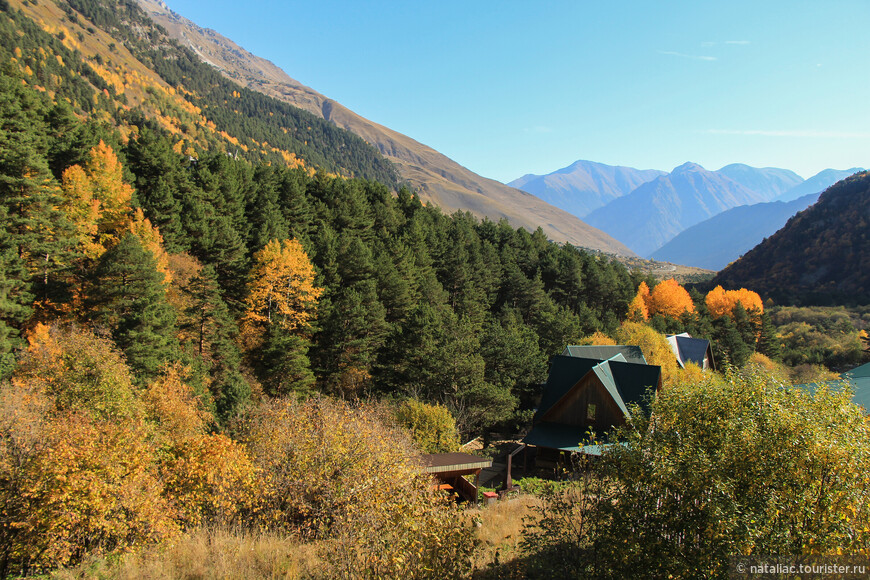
x=91 y=465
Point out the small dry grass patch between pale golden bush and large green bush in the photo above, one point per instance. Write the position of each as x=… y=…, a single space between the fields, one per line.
x=499 y=529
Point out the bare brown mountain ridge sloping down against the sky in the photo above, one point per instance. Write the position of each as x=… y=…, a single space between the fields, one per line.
x=434 y=176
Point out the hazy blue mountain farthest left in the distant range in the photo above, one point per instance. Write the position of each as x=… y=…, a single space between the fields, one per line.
x=584 y=186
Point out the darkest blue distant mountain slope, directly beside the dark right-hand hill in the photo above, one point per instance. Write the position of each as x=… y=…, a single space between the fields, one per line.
x=718 y=241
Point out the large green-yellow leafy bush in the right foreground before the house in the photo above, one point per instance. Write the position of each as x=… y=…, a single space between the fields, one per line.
x=729 y=466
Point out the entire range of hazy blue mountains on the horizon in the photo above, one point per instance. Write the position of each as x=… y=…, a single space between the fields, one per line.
x=690 y=216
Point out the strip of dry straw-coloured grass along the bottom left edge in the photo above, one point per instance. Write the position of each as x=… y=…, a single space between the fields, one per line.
x=215 y=553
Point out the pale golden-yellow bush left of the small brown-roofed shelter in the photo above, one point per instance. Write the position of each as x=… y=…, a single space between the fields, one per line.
x=338 y=473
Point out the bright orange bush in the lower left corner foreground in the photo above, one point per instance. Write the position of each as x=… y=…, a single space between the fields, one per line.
x=91 y=489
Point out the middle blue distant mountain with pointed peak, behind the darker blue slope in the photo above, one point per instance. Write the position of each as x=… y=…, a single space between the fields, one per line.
x=657 y=211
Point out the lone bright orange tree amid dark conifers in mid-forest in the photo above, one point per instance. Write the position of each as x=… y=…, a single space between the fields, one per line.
x=281 y=289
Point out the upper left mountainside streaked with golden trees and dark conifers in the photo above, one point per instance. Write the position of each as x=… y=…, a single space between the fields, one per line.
x=141 y=71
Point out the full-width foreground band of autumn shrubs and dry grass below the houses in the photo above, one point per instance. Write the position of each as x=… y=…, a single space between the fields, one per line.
x=104 y=477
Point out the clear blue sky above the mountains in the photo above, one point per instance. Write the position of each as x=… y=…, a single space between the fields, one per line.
x=507 y=88
